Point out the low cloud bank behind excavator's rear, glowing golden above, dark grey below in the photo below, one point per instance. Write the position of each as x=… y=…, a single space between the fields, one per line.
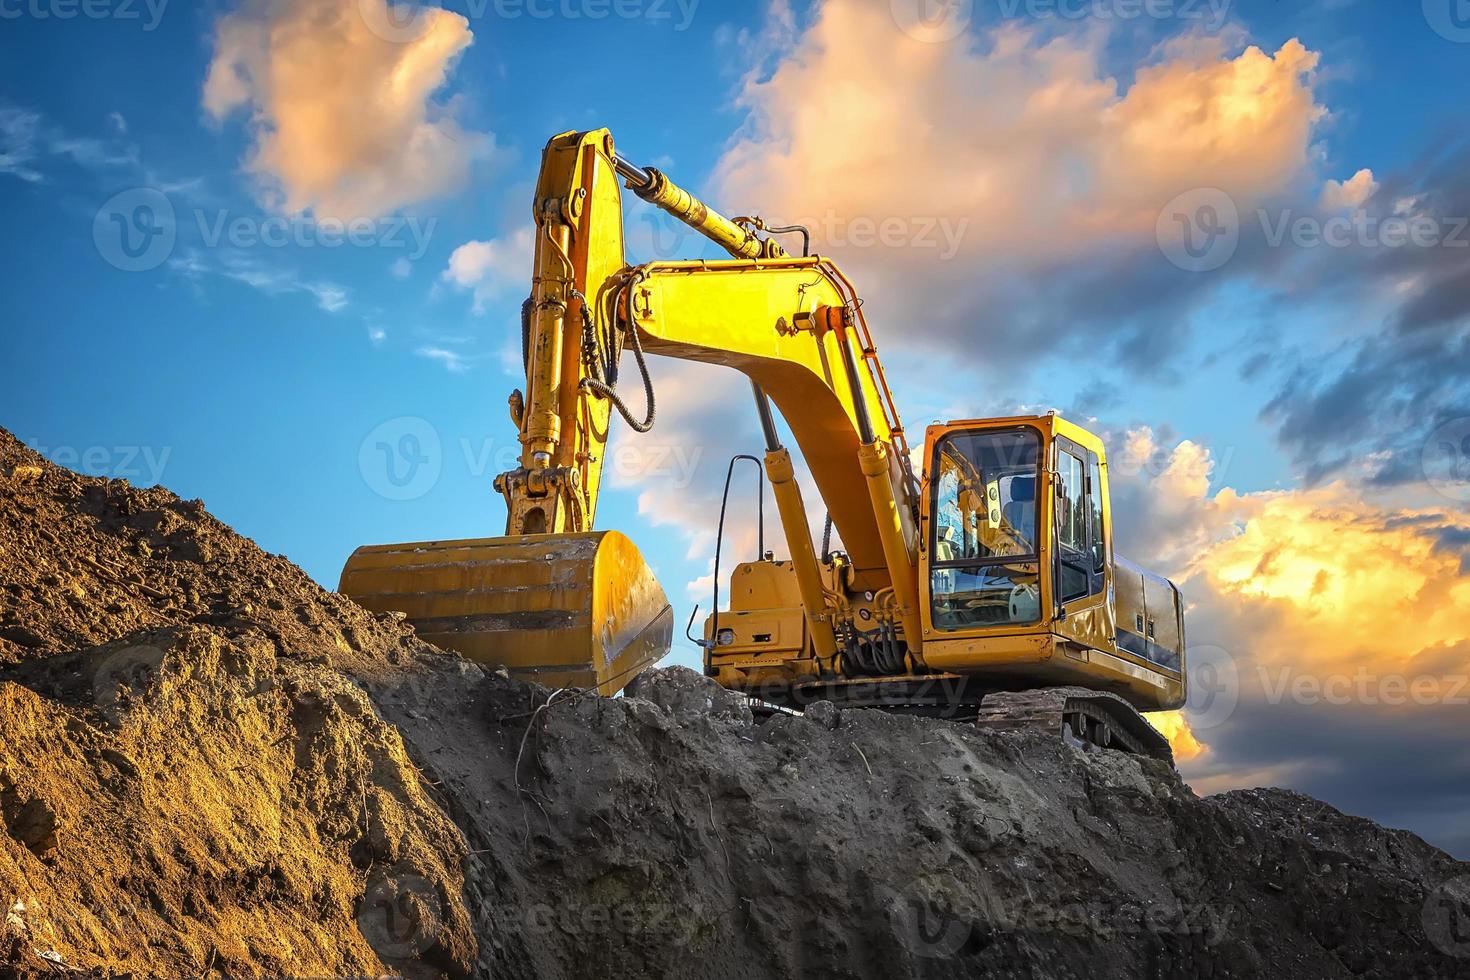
x=1344 y=628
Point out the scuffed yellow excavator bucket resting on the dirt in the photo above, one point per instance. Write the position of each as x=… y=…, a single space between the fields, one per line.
x=573 y=610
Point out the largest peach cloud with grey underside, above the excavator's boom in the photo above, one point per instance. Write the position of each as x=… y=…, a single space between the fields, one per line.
x=1019 y=155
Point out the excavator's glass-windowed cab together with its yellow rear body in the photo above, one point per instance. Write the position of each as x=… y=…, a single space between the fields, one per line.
x=1025 y=588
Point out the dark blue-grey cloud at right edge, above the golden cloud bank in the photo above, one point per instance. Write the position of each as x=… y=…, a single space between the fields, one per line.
x=1368 y=409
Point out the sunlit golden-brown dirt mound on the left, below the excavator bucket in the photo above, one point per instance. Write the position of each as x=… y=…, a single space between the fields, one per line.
x=189 y=781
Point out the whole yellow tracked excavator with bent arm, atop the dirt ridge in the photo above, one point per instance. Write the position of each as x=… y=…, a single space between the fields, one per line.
x=983 y=588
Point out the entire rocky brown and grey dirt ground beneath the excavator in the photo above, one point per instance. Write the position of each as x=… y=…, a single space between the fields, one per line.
x=209 y=766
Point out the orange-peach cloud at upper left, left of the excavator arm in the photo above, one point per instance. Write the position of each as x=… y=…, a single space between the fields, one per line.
x=345 y=121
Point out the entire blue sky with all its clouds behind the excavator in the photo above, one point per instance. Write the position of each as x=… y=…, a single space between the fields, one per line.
x=271 y=255
